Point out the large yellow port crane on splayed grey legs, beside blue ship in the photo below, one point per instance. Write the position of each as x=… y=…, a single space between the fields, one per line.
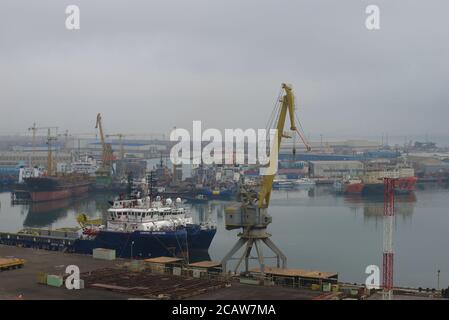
x=251 y=214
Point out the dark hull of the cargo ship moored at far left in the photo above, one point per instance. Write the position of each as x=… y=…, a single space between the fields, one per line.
x=48 y=188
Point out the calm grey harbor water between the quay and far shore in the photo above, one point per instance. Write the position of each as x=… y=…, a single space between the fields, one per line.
x=316 y=228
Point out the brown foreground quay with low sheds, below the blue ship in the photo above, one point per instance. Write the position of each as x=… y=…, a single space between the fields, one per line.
x=170 y=278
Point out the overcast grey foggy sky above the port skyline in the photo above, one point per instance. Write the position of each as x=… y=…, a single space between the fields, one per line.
x=148 y=66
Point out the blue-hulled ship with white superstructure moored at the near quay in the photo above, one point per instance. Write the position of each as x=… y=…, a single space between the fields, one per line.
x=137 y=228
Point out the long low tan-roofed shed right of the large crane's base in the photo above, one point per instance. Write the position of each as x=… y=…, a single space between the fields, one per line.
x=299 y=277
